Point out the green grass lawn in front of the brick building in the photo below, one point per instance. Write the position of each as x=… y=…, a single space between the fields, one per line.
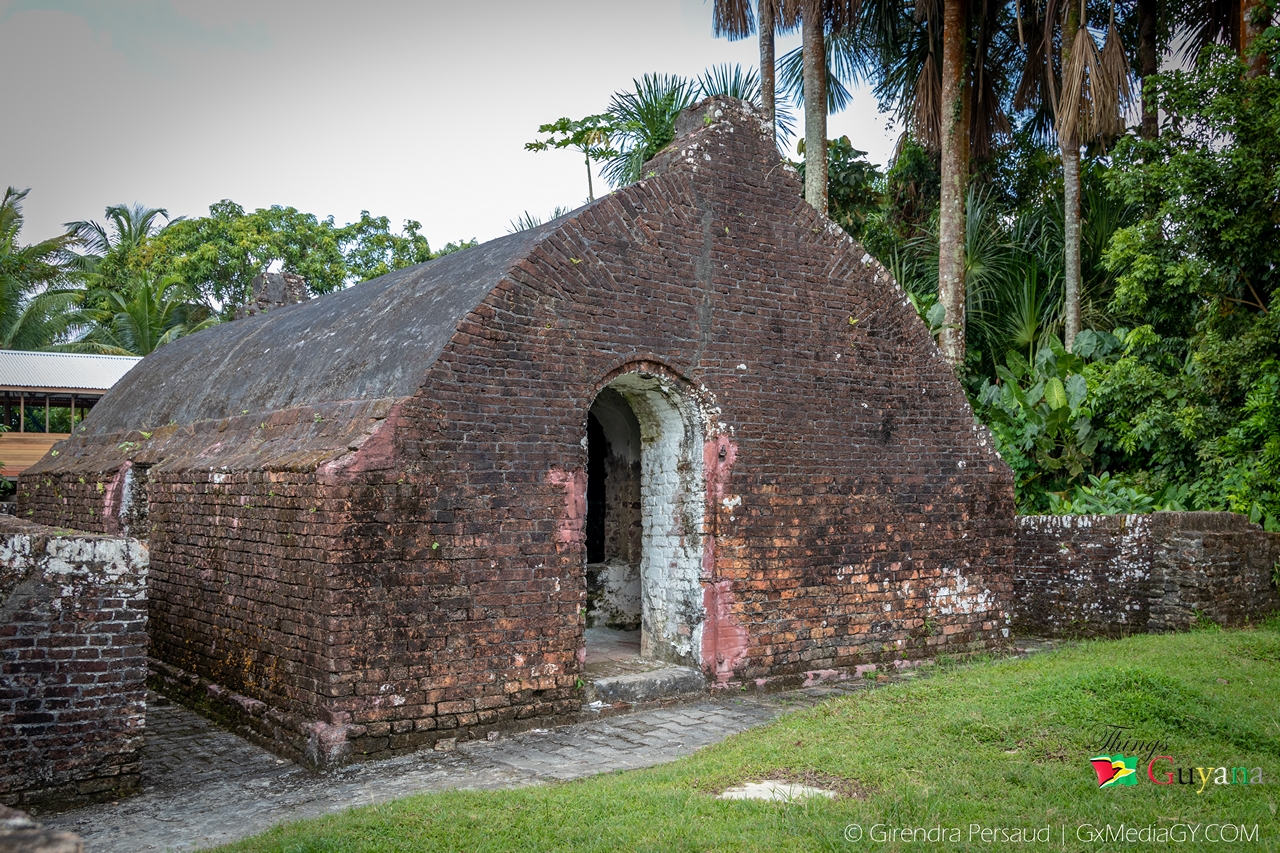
x=990 y=745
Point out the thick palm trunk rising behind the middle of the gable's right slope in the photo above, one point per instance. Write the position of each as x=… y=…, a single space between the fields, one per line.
x=956 y=175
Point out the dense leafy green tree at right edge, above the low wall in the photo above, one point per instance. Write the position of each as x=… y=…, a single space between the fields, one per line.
x=1191 y=402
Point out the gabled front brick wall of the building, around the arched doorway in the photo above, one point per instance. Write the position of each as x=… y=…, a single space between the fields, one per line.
x=856 y=518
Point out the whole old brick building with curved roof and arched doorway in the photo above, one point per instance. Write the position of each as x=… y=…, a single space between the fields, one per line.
x=696 y=409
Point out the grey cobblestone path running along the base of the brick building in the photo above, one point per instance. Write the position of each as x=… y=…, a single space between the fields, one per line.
x=204 y=786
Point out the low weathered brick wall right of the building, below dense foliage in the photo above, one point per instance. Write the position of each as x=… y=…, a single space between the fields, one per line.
x=1100 y=576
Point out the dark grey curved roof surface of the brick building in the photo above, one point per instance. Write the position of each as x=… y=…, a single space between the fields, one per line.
x=371 y=341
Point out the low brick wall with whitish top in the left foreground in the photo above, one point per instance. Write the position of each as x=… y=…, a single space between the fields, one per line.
x=74 y=644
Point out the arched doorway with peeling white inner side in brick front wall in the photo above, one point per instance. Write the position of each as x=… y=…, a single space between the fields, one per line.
x=646 y=505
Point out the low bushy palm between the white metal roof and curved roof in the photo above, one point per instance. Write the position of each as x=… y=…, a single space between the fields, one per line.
x=140 y=318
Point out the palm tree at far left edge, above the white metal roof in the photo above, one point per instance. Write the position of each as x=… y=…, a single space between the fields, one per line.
x=38 y=284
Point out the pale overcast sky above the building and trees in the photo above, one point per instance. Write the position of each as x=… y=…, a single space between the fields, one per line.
x=413 y=111
